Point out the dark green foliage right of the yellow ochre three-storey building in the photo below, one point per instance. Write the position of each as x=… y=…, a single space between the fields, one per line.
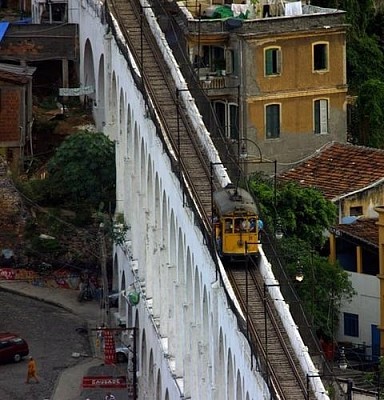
x=365 y=66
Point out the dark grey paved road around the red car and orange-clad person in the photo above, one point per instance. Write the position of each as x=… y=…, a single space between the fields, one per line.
x=52 y=335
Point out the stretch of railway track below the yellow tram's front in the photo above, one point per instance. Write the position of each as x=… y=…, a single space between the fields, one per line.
x=266 y=332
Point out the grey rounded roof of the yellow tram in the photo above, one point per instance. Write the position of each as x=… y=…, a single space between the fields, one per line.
x=232 y=199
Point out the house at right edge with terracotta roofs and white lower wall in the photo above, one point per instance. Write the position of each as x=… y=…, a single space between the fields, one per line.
x=352 y=177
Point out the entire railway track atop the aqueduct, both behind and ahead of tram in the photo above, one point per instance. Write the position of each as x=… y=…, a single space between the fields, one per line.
x=280 y=368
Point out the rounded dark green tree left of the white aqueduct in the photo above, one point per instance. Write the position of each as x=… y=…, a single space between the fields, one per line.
x=82 y=171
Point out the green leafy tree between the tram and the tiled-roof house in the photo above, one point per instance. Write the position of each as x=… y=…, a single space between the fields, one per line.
x=305 y=215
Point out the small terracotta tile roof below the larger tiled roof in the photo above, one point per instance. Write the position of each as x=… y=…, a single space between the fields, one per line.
x=363 y=229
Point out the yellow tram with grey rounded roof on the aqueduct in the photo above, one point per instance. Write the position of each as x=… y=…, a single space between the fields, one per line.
x=235 y=221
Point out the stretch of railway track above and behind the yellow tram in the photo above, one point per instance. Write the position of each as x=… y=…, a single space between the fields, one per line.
x=193 y=165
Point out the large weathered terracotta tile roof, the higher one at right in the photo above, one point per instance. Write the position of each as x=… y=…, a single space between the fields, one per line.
x=339 y=169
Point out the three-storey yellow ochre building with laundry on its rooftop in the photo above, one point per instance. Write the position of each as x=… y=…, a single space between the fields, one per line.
x=276 y=78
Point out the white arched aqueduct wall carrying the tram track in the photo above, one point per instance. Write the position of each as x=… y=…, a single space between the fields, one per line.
x=188 y=341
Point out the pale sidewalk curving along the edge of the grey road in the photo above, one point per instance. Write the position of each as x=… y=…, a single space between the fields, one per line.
x=69 y=384
